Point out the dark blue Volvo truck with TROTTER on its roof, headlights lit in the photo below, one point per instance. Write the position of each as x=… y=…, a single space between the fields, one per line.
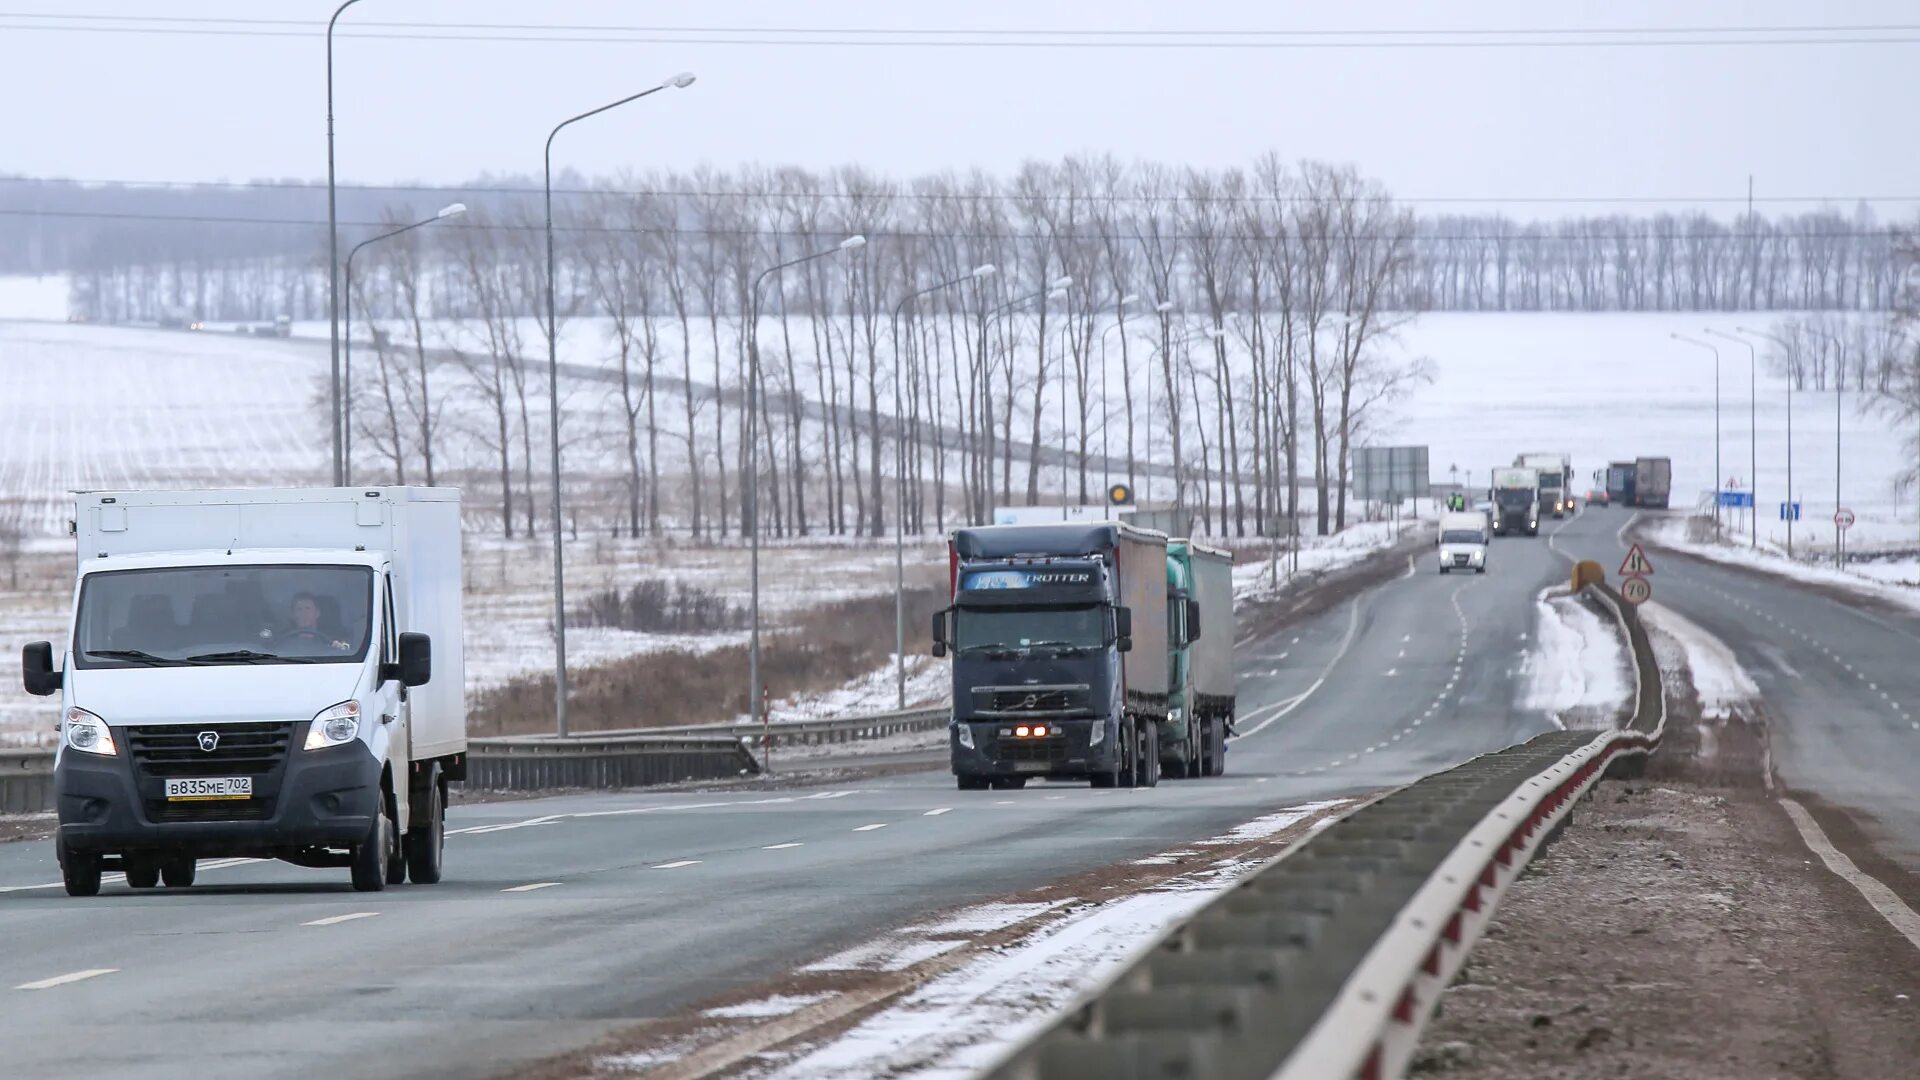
x=1059 y=639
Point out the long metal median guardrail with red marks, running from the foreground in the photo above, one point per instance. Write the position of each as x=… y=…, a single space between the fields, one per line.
x=1330 y=962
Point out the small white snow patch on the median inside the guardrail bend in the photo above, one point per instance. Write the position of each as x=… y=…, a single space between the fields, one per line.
x=1577 y=670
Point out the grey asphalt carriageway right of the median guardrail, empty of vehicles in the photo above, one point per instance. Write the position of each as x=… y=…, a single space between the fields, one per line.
x=1838 y=681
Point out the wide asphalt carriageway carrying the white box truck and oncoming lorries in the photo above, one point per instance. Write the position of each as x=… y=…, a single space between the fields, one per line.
x=567 y=918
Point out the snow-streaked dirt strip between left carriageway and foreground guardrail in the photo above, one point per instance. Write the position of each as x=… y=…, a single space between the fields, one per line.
x=955 y=991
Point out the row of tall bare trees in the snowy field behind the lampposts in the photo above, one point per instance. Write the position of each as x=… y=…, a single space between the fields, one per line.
x=1212 y=339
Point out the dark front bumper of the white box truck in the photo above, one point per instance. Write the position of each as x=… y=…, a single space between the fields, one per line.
x=322 y=798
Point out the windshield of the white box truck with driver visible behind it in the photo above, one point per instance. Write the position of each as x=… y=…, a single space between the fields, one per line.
x=222 y=616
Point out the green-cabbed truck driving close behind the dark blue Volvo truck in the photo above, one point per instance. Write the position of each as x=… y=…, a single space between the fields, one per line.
x=1203 y=700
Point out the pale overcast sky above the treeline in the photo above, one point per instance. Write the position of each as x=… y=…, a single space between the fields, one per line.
x=1429 y=122
